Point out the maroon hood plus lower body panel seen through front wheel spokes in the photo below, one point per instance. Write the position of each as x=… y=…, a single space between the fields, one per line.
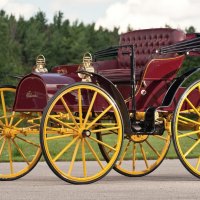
x=36 y=89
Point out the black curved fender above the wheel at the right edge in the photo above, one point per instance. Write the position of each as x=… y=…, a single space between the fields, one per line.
x=178 y=82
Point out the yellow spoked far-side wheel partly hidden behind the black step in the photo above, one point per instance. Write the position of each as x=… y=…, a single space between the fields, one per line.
x=141 y=154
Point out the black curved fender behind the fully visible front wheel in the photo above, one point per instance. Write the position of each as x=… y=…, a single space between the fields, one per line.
x=114 y=92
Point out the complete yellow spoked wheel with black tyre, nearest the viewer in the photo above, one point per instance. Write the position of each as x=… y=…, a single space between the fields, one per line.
x=70 y=123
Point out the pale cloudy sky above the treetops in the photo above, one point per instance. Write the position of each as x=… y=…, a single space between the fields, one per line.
x=137 y=14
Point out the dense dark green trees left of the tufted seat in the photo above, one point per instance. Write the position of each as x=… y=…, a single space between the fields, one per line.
x=61 y=42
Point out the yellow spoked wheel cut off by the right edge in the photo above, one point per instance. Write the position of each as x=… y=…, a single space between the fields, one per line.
x=186 y=129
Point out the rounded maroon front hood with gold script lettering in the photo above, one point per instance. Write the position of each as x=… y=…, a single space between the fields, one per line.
x=34 y=90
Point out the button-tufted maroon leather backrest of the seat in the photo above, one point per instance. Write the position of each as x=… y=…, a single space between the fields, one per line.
x=146 y=42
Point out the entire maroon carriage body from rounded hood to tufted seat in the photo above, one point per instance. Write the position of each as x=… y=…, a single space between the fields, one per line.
x=154 y=73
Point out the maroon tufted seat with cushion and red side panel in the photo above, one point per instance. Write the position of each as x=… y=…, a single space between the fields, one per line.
x=154 y=73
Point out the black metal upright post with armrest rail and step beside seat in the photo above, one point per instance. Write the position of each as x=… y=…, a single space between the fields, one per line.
x=148 y=126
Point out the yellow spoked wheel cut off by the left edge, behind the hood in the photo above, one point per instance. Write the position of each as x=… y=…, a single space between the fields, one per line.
x=19 y=138
